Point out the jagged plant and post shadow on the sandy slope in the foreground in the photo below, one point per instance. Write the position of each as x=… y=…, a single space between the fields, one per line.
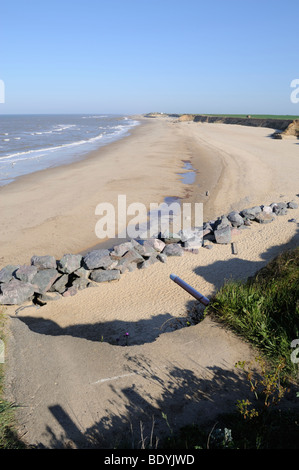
x=184 y=399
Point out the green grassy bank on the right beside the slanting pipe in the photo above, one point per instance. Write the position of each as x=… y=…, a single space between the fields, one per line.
x=265 y=308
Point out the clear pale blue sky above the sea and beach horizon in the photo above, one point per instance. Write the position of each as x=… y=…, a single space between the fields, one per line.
x=137 y=56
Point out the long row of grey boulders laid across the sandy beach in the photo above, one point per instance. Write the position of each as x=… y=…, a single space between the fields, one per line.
x=47 y=279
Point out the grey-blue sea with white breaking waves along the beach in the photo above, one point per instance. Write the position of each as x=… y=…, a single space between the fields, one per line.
x=29 y=143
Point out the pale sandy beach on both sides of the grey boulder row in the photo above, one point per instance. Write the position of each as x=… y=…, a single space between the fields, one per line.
x=76 y=386
